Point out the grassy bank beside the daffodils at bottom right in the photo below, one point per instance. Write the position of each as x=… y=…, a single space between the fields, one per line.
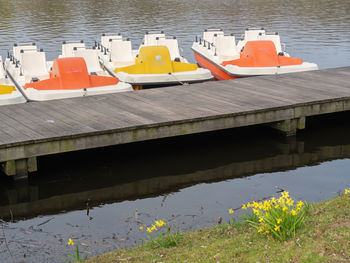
x=325 y=237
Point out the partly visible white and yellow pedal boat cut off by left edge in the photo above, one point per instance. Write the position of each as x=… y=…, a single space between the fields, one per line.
x=8 y=92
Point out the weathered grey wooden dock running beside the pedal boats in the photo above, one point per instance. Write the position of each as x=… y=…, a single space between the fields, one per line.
x=282 y=101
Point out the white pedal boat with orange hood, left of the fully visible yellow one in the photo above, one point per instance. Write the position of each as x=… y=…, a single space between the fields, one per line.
x=68 y=76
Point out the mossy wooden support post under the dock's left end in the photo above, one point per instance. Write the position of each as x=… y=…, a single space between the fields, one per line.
x=19 y=168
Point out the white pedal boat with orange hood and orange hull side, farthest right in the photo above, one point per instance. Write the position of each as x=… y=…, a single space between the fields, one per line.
x=258 y=53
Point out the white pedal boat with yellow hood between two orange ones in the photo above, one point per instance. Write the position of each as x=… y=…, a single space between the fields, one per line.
x=156 y=63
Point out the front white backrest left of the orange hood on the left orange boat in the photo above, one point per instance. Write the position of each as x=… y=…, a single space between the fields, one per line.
x=33 y=63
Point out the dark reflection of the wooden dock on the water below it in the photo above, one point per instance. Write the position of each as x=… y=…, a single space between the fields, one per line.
x=76 y=181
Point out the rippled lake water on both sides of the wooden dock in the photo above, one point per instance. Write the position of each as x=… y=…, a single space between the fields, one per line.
x=100 y=197
